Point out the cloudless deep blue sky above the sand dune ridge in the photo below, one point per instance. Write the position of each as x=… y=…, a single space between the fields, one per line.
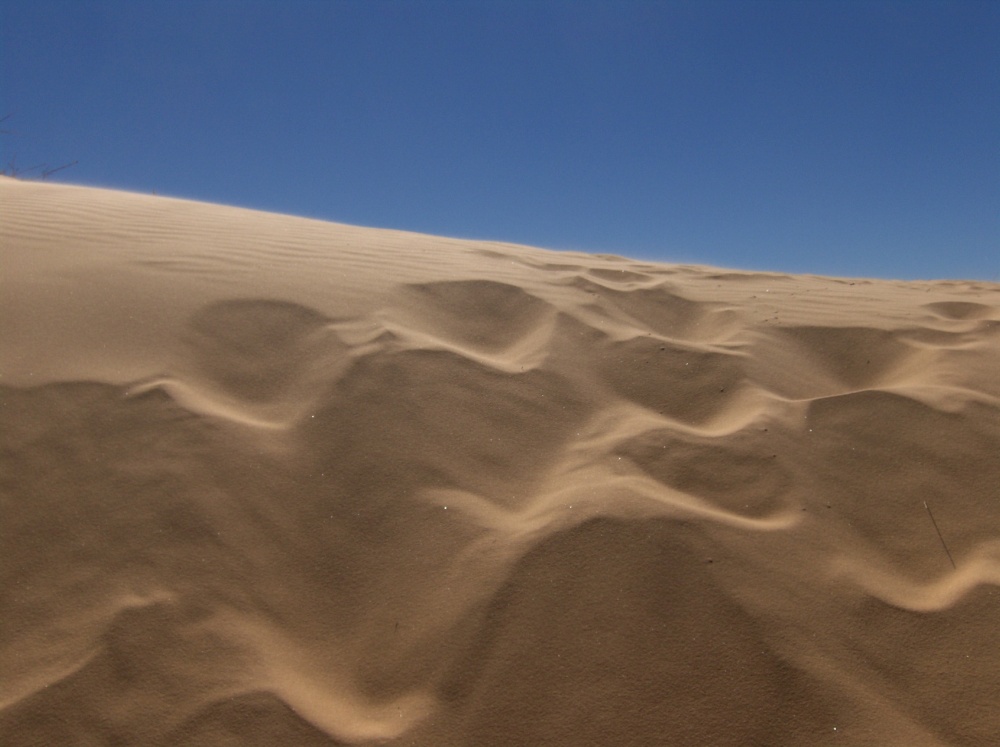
x=846 y=138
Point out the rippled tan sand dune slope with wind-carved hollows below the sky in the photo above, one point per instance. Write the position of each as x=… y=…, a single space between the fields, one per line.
x=273 y=481
